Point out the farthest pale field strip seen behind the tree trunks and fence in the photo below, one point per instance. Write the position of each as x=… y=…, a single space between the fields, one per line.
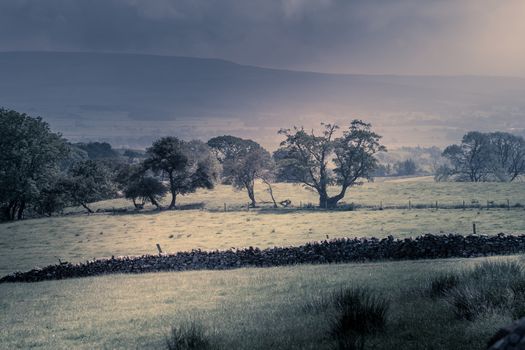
x=395 y=191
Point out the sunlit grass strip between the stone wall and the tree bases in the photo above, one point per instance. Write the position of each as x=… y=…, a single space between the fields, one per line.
x=41 y=242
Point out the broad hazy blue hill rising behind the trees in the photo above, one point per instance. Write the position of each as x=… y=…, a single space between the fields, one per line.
x=129 y=100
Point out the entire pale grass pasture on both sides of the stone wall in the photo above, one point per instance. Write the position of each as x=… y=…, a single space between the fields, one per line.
x=246 y=308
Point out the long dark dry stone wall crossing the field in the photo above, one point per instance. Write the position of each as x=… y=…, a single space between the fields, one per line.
x=326 y=252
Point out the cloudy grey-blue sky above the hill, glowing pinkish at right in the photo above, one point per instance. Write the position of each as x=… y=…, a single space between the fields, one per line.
x=352 y=36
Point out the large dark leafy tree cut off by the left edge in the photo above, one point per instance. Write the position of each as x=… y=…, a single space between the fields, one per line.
x=29 y=160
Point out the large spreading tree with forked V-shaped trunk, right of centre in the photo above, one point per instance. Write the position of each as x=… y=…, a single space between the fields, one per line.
x=319 y=161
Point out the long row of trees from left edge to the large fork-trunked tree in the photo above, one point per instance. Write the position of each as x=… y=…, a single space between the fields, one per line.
x=42 y=173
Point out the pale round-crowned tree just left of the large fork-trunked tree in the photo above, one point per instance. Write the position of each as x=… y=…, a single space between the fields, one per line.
x=243 y=161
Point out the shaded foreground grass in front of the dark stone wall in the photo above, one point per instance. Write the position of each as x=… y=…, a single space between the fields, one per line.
x=241 y=309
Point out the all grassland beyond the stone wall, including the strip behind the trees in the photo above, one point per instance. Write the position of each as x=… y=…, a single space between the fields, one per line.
x=39 y=242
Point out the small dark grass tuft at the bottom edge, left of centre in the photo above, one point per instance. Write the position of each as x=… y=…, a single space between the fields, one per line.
x=188 y=337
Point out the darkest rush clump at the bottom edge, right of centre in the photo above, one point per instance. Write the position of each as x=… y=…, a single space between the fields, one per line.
x=360 y=314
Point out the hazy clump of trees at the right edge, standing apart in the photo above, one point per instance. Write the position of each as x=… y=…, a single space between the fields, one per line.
x=496 y=156
